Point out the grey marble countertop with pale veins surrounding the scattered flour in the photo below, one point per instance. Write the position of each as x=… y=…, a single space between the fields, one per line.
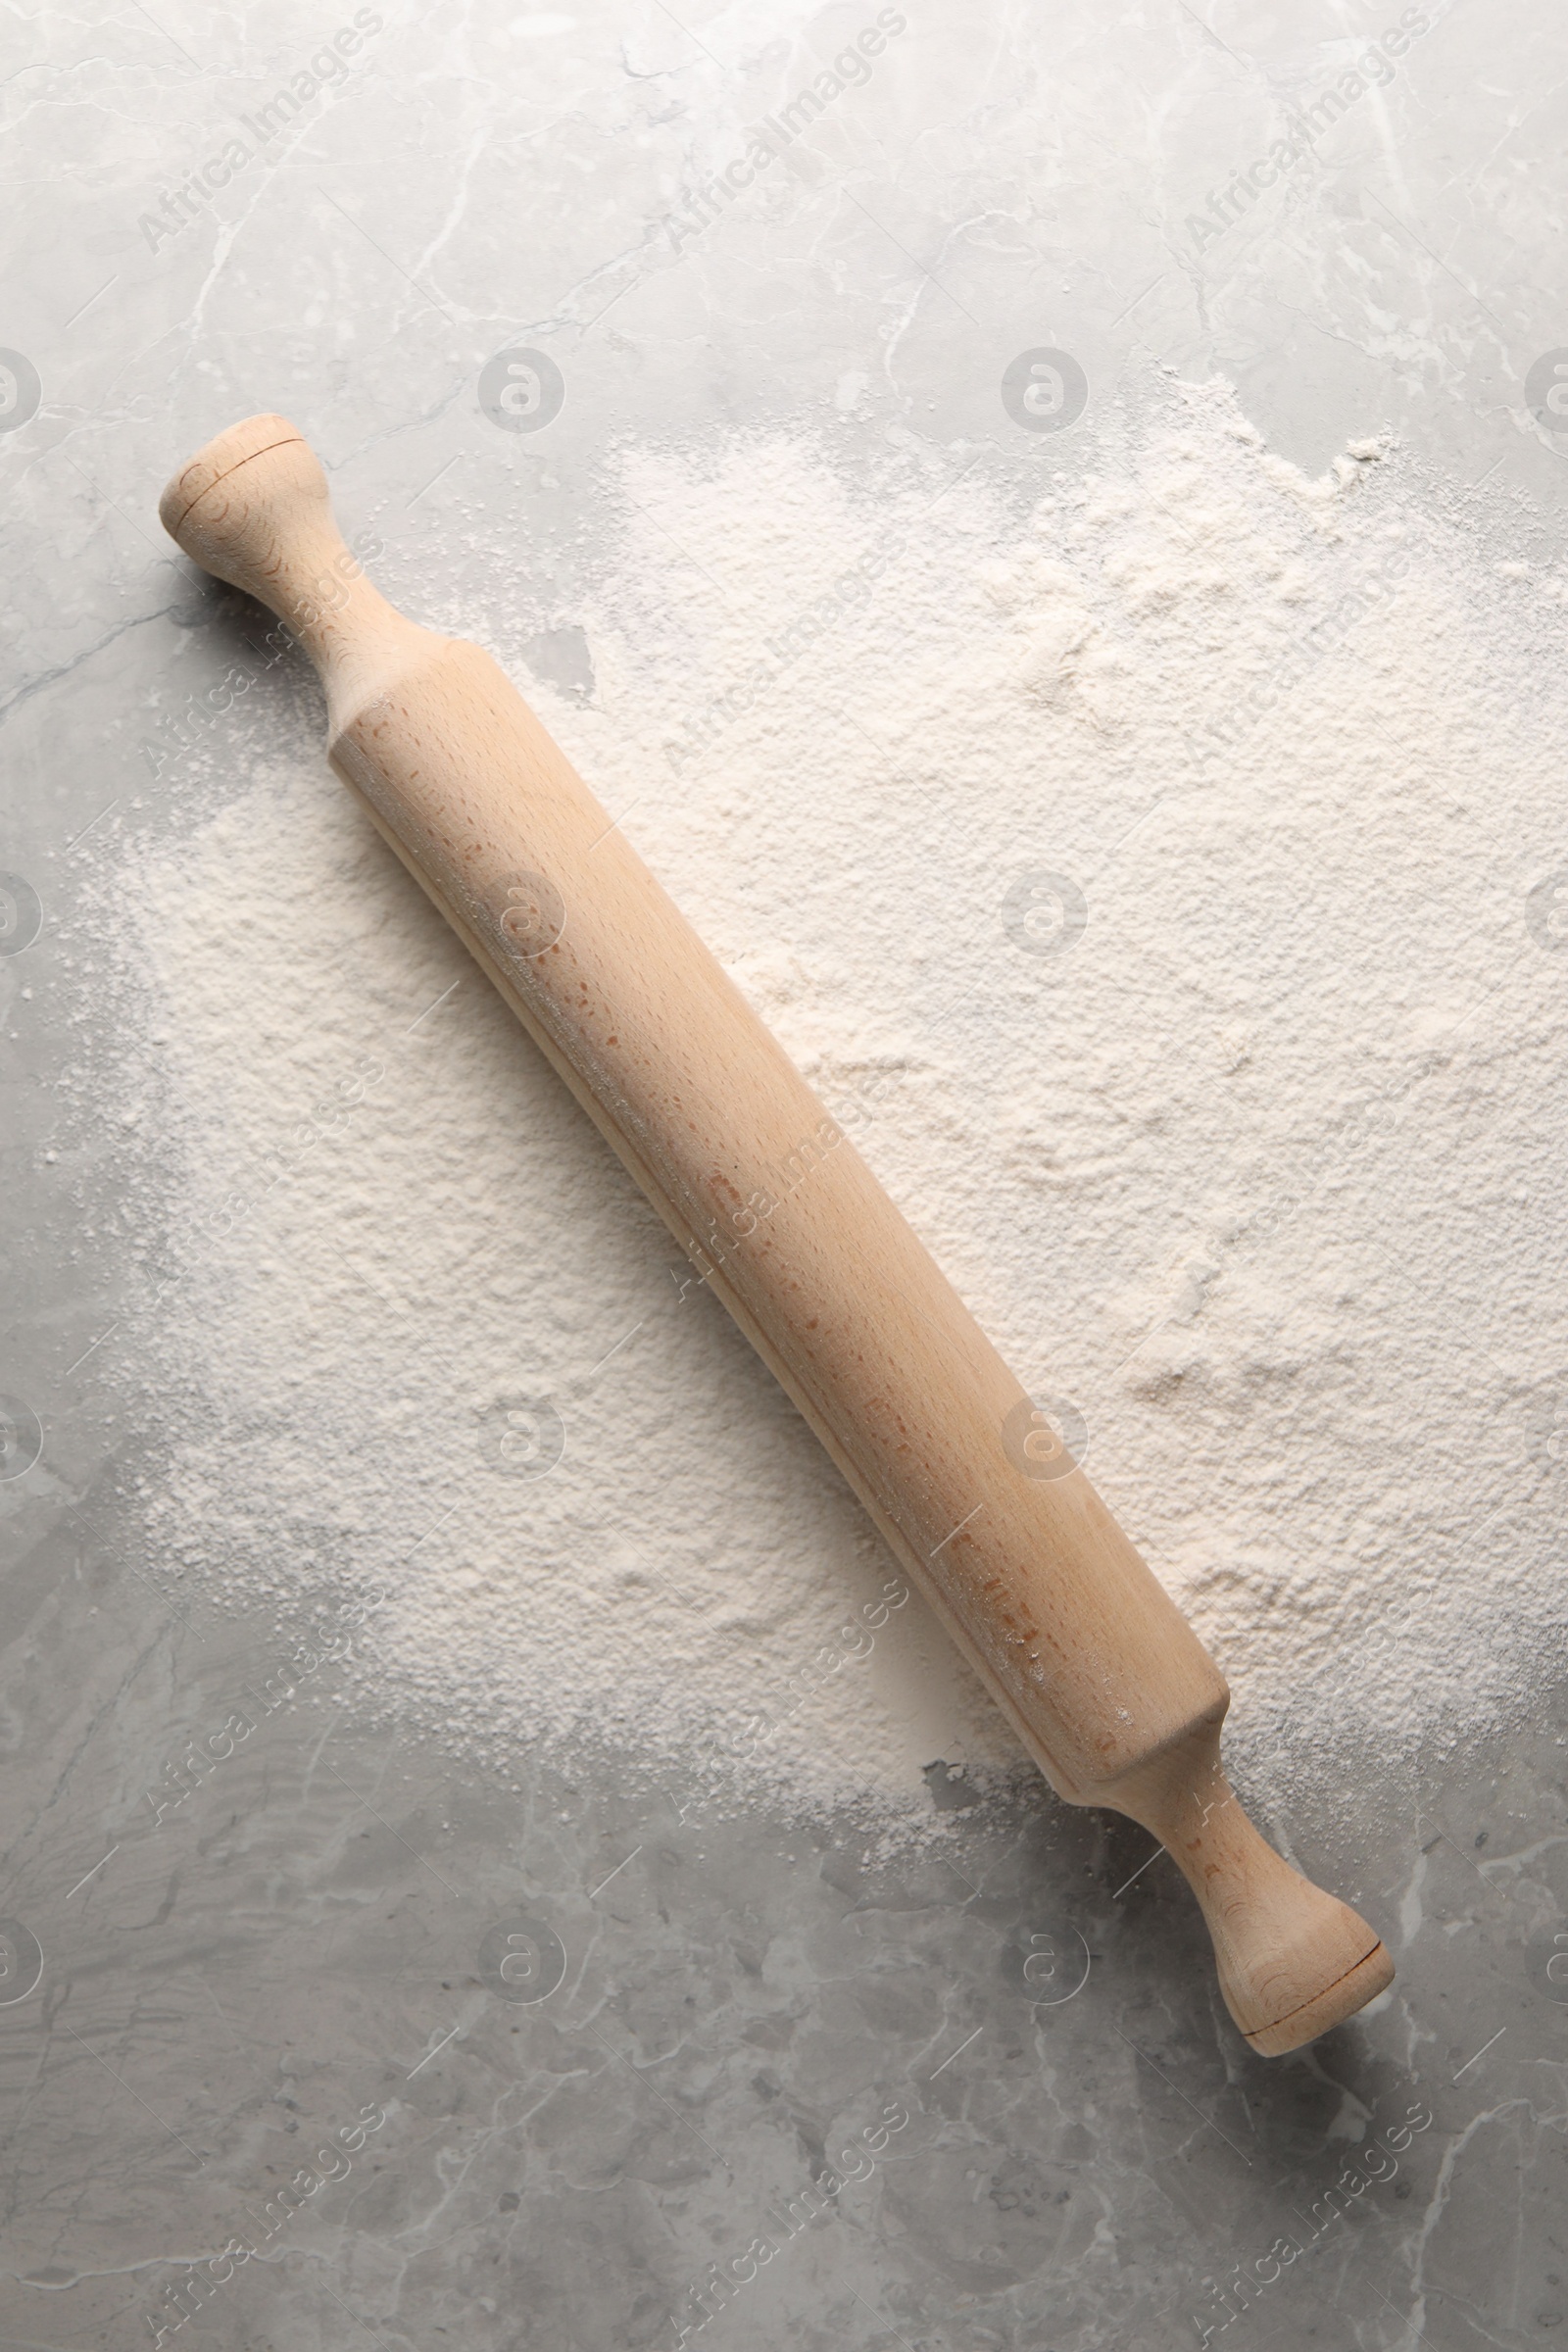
x=537 y=2064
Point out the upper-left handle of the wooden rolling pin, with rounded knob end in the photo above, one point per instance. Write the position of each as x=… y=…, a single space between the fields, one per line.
x=255 y=512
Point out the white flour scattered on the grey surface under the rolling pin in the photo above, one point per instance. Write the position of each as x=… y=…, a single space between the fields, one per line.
x=1299 y=747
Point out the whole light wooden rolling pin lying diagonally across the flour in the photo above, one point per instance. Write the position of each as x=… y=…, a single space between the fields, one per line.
x=1085 y=1652
